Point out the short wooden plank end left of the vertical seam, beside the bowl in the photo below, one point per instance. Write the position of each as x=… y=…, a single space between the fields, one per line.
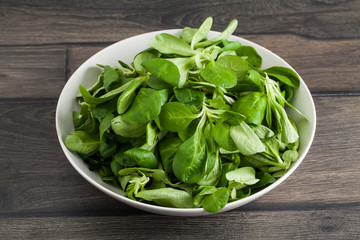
x=32 y=72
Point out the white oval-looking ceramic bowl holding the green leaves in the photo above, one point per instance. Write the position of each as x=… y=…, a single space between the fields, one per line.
x=125 y=51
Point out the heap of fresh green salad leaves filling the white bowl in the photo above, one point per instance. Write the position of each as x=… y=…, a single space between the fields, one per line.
x=192 y=122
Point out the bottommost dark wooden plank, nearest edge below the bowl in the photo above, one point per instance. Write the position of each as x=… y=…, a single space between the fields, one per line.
x=339 y=223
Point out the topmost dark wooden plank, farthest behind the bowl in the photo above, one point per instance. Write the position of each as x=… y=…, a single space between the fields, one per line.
x=41 y=22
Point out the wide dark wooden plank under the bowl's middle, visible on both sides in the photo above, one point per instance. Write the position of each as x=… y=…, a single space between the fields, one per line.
x=39 y=178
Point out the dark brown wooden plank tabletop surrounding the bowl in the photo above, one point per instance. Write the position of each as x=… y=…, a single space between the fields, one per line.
x=43 y=42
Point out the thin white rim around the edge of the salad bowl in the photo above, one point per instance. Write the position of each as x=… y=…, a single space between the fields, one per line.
x=181 y=211
